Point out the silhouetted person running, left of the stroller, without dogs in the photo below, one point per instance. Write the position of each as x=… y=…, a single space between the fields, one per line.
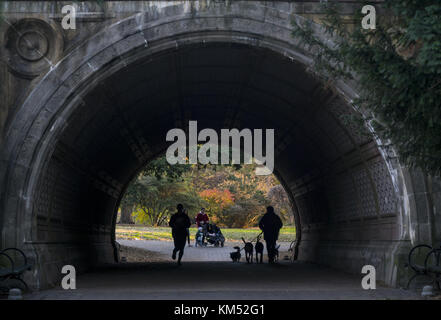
x=179 y=222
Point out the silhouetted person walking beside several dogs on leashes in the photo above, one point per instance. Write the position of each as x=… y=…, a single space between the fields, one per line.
x=270 y=224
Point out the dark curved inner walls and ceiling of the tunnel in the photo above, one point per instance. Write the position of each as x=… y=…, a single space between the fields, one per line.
x=345 y=206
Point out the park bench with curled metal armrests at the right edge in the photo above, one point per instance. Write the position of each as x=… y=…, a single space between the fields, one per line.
x=424 y=260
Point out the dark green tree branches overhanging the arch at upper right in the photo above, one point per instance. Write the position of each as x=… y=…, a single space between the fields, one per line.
x=398 y=67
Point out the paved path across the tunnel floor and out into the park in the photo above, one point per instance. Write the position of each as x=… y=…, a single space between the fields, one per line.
x=217 y=279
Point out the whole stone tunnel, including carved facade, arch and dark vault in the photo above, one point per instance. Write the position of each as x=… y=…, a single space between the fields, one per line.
x=81 y=116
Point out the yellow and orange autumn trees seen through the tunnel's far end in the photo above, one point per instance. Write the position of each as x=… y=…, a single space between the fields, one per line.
x=233 y=195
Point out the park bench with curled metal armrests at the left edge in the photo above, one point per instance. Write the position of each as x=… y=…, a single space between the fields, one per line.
x=13 y=264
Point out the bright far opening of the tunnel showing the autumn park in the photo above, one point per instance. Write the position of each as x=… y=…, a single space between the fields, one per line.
x=233 y=198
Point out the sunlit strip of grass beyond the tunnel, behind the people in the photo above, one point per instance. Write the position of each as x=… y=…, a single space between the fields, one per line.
x=139 y=232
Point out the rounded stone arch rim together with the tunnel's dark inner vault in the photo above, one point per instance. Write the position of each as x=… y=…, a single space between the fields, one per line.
x=339 y=224
